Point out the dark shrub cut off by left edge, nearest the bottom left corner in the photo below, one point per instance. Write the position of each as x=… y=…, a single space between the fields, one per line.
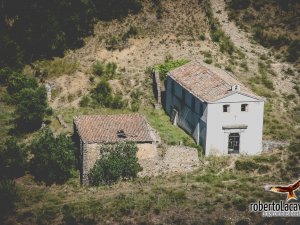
x=8 y=197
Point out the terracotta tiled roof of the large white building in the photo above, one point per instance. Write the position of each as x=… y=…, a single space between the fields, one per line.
x=205 y=82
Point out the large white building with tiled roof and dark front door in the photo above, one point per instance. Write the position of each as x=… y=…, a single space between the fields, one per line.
x=219 y=112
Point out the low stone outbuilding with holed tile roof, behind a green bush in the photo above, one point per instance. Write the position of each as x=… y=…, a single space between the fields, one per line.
x=95 y=130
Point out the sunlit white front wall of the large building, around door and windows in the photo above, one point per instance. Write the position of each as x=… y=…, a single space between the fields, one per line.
x=250 y=138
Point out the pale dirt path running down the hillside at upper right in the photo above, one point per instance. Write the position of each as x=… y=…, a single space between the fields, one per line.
x=253 y=51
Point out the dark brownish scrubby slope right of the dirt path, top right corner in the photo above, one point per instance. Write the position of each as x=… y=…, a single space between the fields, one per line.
x=273 y=24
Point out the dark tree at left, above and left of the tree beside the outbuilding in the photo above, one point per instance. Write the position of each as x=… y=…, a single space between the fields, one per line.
x=31 y=108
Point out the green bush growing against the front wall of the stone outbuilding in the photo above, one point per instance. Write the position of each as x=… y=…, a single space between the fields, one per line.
x=117 y=162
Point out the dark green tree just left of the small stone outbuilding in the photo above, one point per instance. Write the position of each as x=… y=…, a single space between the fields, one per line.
x=53 y=158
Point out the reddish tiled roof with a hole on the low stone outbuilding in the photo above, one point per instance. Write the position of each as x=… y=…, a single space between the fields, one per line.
x=105 y=128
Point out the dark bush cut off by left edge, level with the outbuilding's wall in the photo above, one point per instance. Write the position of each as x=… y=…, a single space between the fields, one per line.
x=12 y=160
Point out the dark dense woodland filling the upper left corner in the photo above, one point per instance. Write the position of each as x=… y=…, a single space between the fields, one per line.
x=47 y=32
